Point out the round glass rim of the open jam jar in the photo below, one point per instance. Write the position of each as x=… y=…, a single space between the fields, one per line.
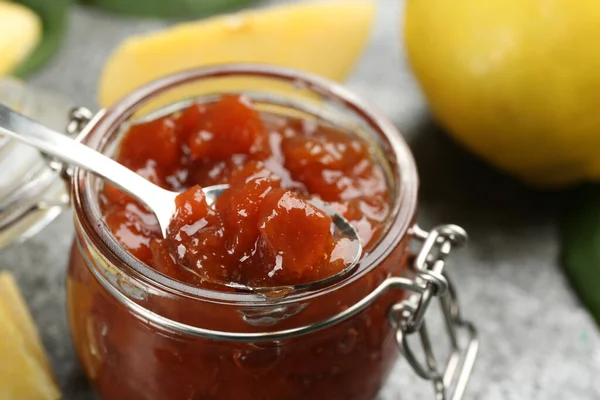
x=108 y=121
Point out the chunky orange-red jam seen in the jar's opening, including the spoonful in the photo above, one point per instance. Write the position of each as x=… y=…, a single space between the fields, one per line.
x=263 y=230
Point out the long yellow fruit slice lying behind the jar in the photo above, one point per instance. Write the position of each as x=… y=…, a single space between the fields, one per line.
x=323 y=37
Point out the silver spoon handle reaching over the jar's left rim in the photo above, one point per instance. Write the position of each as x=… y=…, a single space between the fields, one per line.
x=70 y=151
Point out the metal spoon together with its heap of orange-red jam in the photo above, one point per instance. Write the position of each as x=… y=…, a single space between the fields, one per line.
x=274 y=226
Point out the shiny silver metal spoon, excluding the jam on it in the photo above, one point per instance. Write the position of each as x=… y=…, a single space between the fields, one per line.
x=160 y=201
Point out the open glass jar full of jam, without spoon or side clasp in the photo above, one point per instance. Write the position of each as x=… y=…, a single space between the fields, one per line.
x=147 y=321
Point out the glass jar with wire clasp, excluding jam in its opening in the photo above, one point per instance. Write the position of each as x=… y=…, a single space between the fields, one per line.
x=142 y=335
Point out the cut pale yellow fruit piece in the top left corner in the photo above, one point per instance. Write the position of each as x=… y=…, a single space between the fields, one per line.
x=20 y=32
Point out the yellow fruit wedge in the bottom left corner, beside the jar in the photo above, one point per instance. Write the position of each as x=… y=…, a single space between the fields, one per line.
x=24 y=370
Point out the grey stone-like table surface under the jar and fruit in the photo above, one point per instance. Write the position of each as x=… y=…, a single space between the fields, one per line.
x=537 y=342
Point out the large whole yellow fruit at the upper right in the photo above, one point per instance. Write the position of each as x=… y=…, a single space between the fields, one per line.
x=516 y=82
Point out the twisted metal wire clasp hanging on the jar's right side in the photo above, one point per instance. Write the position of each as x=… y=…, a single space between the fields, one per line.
x=408 y=316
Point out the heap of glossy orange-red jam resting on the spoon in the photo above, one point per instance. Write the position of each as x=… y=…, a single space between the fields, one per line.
x=258 y=235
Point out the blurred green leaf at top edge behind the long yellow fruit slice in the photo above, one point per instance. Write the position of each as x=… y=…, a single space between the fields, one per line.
x=168 y=8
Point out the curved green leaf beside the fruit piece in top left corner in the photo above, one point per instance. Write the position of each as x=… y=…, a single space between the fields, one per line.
x=54 y=18
